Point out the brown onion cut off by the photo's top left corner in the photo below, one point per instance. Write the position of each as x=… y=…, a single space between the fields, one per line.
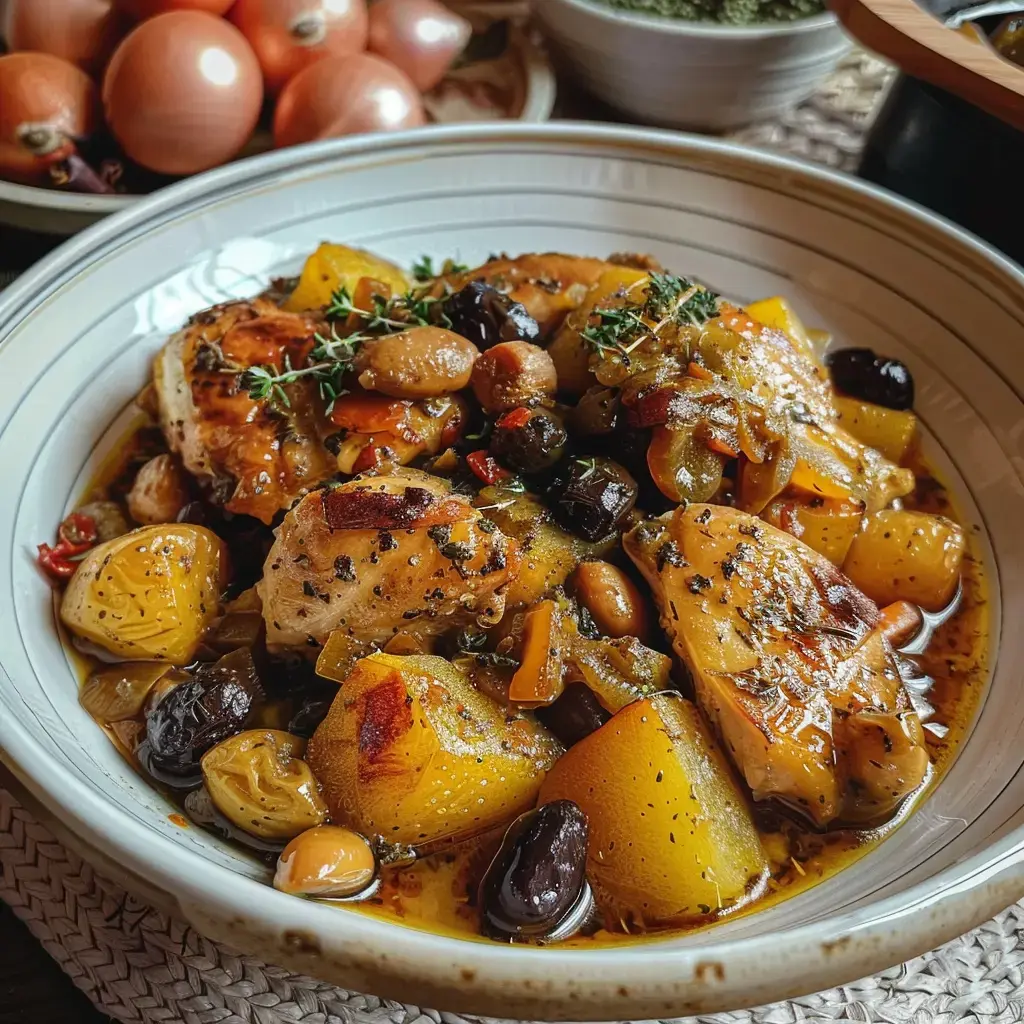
x=83 y=32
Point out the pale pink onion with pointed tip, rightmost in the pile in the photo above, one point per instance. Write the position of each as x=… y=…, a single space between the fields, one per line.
x=421 y=37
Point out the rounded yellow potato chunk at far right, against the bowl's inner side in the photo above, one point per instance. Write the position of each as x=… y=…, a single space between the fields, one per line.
x=911 y=557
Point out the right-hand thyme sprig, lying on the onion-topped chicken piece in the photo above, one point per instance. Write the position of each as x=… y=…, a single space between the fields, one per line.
x=617 y=331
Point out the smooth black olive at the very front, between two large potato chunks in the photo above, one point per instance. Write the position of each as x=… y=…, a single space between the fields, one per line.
x=538 y=878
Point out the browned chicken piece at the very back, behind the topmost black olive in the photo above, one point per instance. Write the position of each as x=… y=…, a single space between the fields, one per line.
x=549 y=285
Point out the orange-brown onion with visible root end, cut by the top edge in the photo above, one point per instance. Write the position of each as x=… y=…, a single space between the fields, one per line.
x=290 y=35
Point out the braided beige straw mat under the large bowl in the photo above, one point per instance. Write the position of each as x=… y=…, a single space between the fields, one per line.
x=138 y=964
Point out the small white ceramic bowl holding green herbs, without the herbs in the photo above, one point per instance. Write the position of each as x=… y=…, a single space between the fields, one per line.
x=689 y=75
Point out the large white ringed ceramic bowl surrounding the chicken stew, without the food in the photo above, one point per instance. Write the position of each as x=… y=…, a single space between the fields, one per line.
x=78 y=334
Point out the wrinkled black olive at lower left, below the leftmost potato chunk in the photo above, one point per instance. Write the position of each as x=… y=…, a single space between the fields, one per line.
x=197 y=716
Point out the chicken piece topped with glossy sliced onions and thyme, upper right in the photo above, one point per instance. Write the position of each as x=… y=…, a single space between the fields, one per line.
x=730 y=389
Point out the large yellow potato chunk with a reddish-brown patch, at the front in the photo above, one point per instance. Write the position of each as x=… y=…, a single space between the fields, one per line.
x=412 y=752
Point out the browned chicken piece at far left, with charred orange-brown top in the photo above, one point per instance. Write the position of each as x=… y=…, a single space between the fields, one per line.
x=254 y=456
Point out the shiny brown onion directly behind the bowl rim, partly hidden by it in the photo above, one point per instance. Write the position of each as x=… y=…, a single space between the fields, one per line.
x=344 y=97
